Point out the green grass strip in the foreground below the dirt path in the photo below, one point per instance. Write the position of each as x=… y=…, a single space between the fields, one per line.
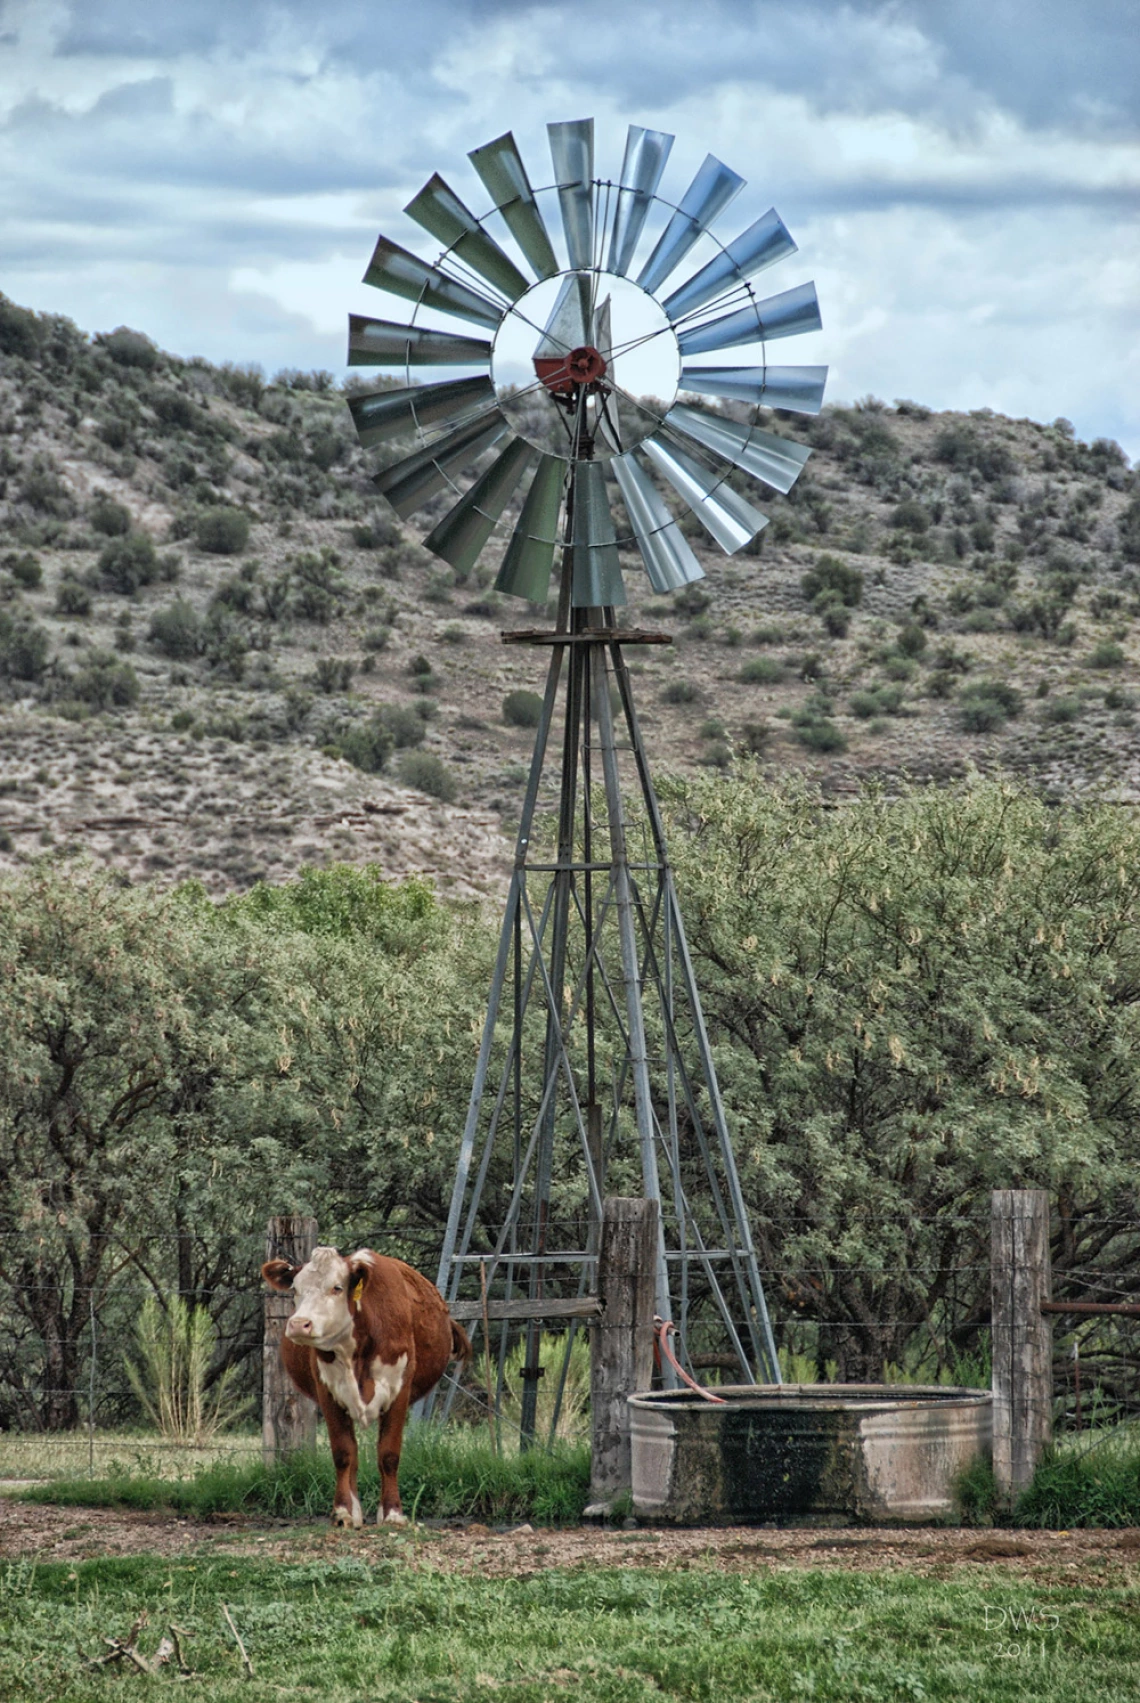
x=388 y=1629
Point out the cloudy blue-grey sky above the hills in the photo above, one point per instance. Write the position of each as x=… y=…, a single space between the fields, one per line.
x=962 y=176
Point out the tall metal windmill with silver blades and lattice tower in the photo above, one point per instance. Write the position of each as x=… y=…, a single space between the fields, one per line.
x=567 y=432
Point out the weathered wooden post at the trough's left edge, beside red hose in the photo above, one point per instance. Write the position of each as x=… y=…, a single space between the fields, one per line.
x=621 y=1341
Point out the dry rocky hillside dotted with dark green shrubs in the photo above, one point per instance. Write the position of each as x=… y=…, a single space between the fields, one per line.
x=222 y=657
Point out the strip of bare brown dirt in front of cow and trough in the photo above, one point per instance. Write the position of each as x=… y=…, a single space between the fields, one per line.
x=74 y=1535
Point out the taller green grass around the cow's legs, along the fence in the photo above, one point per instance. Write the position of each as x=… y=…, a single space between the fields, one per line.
x=442 y=1474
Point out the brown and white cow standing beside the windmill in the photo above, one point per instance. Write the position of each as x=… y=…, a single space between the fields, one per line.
x=369 y=1338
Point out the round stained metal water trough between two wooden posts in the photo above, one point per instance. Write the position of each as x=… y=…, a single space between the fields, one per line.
x=805 y=1454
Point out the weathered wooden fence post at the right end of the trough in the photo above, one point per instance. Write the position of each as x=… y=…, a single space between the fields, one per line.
x=1023 y=1338
